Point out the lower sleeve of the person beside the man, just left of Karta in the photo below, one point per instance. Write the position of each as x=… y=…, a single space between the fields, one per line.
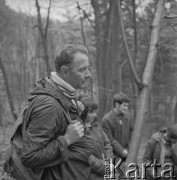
x=96 y=164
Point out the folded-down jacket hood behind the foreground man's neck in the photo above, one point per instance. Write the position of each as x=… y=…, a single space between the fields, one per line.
x=46 y=86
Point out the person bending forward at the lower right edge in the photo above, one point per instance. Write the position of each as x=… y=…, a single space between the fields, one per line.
x=161 y=150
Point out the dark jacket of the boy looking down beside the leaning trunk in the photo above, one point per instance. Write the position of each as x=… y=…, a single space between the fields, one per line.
x=119 y=130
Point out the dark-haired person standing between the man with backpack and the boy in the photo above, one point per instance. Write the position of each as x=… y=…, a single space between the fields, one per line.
x=103 y=148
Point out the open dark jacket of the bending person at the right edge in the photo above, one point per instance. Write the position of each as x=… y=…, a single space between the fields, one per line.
x=153 y=153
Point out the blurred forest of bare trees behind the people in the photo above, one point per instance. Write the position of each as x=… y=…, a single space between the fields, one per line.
x=29 y=41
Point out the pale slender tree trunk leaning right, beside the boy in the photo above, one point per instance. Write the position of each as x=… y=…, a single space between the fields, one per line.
x=142 y=101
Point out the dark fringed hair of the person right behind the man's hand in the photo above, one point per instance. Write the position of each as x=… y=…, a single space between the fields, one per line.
x=89 y=106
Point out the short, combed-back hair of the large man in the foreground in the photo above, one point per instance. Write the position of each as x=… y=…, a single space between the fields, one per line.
x=66 y=54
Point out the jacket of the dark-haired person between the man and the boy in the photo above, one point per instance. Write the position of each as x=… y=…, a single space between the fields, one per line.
x=102 y=151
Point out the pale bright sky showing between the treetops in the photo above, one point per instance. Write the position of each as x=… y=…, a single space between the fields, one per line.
x=61 y=9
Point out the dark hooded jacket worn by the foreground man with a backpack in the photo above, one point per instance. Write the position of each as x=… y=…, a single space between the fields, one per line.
x=44 y=149
